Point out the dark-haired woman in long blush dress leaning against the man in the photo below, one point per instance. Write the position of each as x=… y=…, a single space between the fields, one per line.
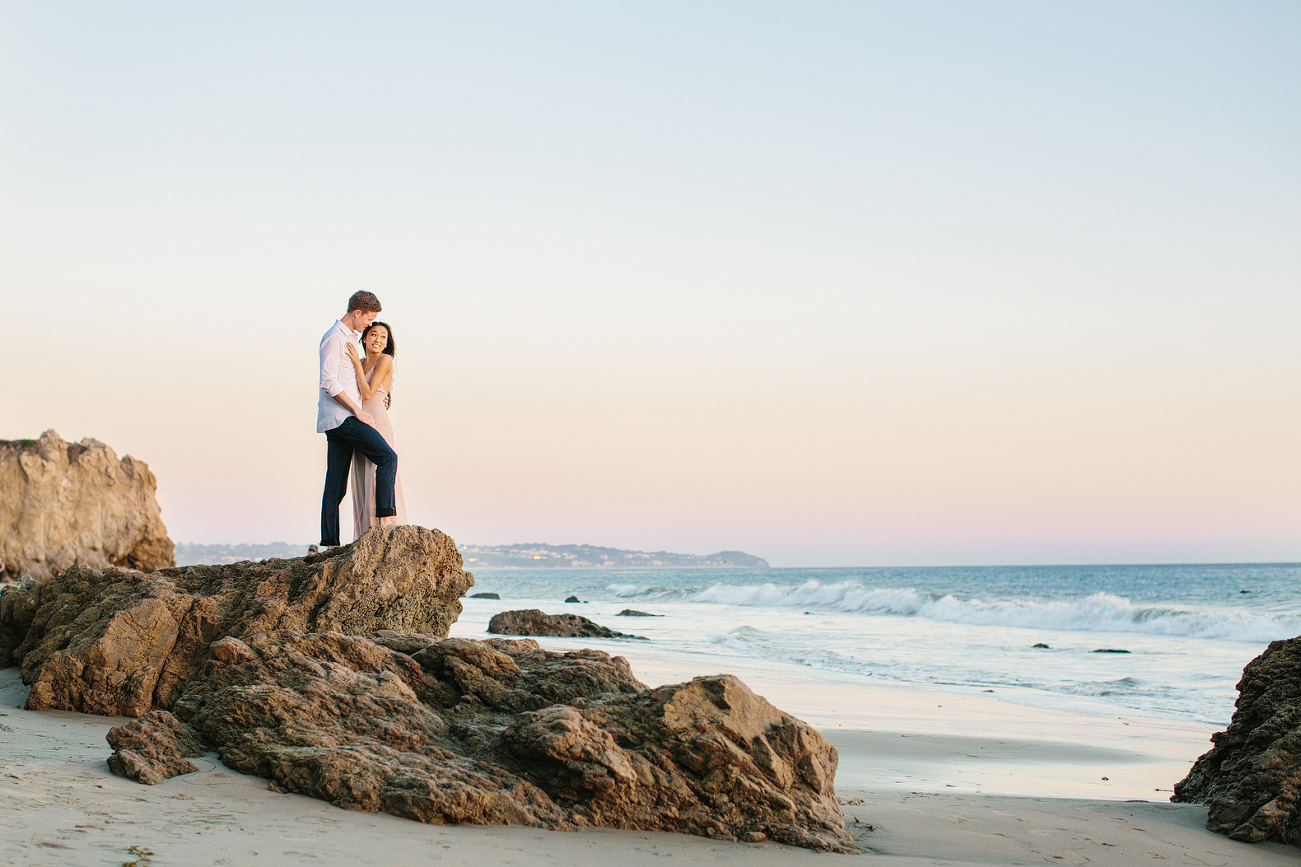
x=375 y=382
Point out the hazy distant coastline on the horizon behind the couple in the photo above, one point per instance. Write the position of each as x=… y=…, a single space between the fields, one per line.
x=517 y=557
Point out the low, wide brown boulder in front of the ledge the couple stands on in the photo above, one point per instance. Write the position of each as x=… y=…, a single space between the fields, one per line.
x=503 y=732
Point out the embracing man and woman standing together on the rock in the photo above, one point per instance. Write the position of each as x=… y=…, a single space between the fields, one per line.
x=353 y=415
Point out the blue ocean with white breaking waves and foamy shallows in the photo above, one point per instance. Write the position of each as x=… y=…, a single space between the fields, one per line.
x=1186 y=631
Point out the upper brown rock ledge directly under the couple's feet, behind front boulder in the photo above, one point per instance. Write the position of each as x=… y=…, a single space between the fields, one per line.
x=124 y=644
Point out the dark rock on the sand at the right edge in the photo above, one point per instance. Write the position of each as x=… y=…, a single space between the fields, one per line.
x=1251 y=780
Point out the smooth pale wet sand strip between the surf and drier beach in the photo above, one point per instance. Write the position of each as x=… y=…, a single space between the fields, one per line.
x=914 y=737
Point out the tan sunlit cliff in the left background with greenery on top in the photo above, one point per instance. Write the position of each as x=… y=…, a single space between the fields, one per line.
x=66 y=504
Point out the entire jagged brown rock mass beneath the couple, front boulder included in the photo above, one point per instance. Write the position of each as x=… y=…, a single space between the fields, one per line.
x=332 y=675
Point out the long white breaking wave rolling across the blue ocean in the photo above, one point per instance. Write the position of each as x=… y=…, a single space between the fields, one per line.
x=1097 y=612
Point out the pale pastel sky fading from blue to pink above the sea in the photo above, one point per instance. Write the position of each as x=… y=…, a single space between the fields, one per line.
x=831 y=283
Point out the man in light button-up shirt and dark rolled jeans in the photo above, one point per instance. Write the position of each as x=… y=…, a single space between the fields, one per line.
x=347 y=426
